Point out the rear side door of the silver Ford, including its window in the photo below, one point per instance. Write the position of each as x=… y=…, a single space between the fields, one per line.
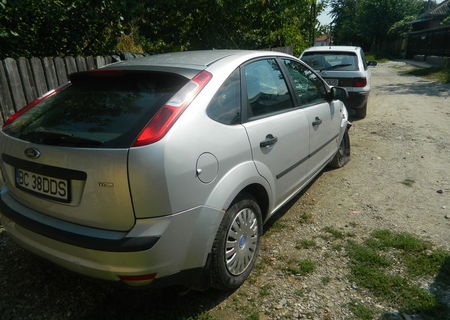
x=278 y=131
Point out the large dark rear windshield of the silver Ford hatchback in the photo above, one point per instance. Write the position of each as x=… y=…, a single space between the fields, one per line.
x=104 y=109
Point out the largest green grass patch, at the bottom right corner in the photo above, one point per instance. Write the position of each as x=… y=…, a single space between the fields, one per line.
x=370 y=268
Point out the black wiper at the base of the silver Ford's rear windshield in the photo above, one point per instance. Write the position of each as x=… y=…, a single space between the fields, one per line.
x=58 y=138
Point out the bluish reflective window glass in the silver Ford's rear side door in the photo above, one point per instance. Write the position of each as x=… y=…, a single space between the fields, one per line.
x=267 y=92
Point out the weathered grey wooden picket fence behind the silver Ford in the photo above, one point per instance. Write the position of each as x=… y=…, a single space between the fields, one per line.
x=23 y=80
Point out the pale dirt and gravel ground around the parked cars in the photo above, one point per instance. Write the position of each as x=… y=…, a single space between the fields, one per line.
x=398 y=179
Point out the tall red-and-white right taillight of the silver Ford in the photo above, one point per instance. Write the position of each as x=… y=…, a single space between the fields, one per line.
x=163 y=120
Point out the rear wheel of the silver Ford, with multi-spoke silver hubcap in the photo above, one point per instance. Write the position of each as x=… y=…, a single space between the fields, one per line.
x=239 y=233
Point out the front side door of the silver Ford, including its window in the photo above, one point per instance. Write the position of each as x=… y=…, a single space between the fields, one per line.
x=323 y=116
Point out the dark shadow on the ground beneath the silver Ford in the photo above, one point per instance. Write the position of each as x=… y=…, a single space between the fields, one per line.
x=33 y=288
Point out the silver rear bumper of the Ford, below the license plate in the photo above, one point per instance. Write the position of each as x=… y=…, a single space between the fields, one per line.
x=184 y=241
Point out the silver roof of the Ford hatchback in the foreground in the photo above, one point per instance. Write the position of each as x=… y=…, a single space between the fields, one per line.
x=186 y=63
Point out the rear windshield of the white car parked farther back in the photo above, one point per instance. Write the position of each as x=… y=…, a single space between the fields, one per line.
x=338 y=61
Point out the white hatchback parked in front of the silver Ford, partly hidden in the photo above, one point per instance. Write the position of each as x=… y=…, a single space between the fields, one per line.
x=343 y=66
